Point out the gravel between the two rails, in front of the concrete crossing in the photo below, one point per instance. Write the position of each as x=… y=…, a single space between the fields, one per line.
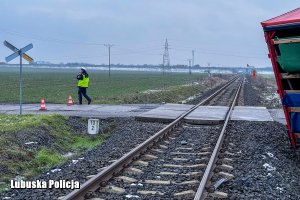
x=181 y=140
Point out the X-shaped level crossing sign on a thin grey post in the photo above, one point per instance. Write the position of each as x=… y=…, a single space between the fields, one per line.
x=21 y=53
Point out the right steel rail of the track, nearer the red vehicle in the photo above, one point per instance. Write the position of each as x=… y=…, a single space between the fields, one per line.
x=206 y=176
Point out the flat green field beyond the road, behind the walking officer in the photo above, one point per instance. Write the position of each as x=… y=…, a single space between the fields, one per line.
x=122 y=87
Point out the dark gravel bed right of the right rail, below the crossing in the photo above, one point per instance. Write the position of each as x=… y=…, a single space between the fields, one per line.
x=264 y=165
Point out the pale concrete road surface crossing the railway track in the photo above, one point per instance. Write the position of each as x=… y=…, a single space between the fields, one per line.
x=153 y=112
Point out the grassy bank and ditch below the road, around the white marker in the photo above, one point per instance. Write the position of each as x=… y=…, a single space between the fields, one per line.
x=32 y=144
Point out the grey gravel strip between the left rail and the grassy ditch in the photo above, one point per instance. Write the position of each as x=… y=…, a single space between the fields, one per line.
x=127 y=134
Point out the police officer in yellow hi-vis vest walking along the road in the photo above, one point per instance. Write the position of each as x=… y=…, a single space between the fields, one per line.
x=83 y=84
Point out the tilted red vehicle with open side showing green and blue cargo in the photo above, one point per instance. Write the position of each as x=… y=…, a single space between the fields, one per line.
x=282 y=35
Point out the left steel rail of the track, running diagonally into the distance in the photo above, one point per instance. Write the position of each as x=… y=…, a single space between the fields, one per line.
x=99 y=179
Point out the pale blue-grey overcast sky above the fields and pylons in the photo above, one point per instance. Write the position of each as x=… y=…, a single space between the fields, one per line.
x=221 y=32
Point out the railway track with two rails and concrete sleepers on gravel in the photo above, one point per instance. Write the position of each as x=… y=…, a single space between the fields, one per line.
x=175 y=162
